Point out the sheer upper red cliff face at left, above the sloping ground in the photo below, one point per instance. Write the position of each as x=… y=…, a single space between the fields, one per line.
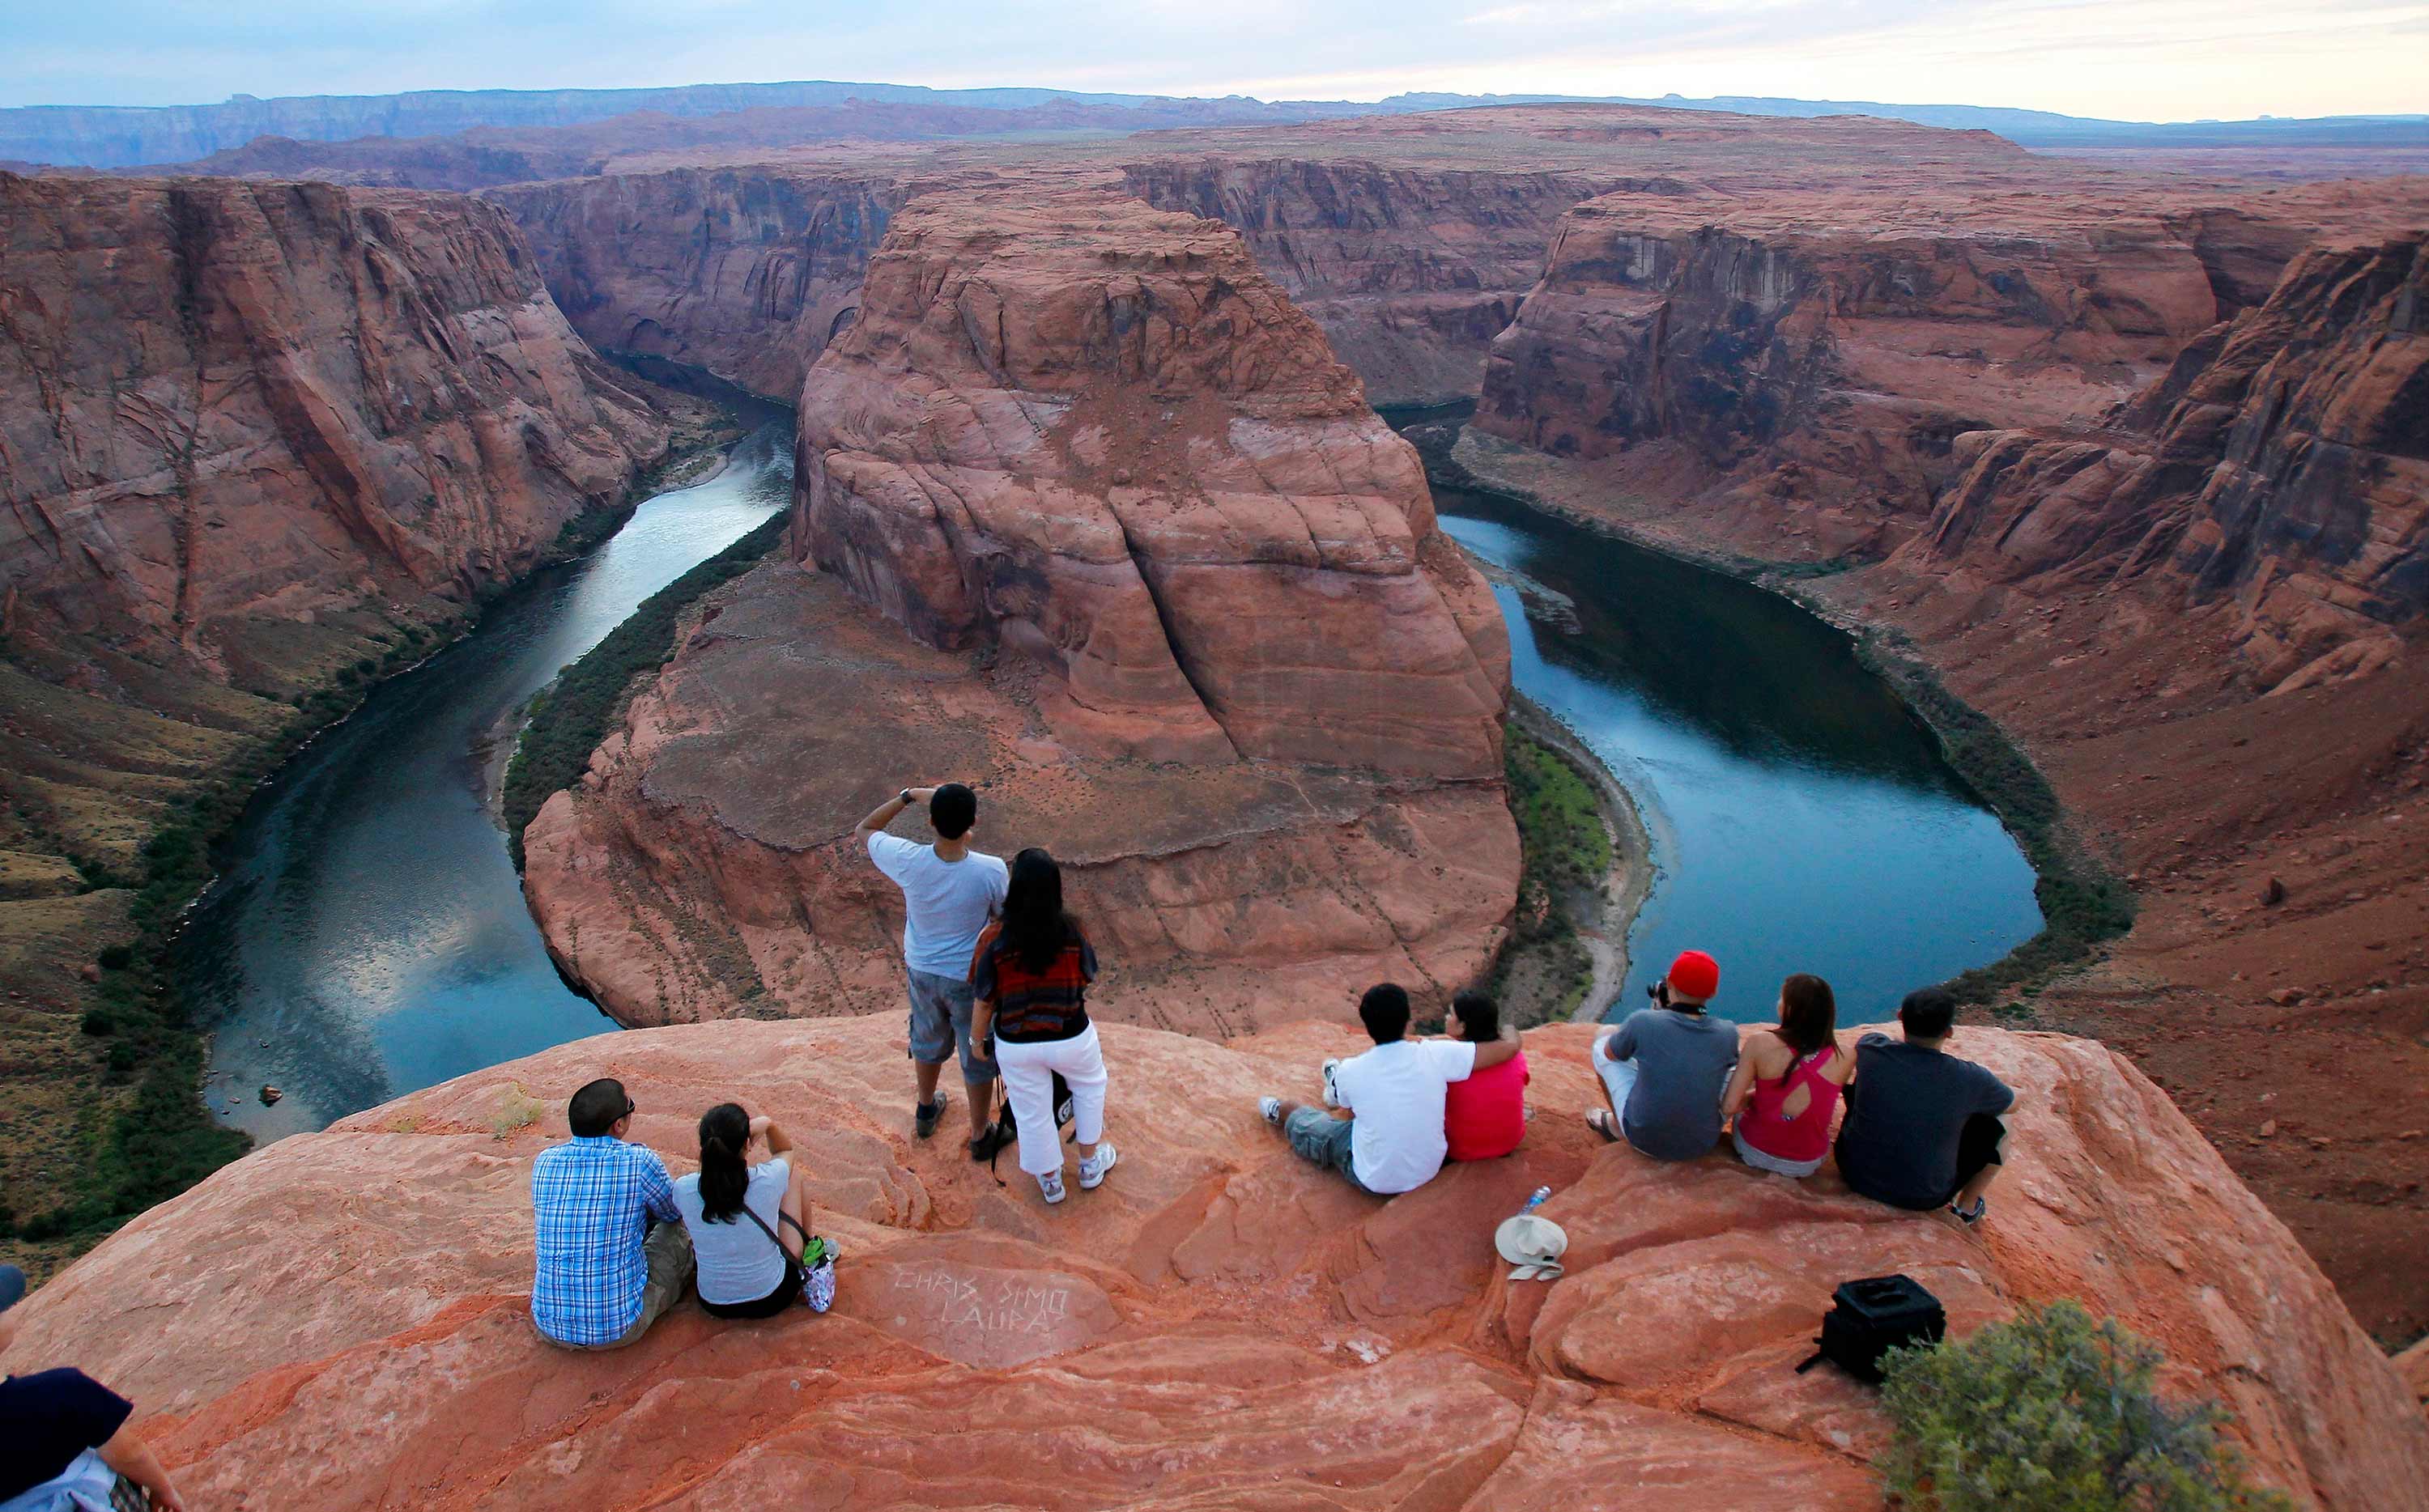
x=259 y=402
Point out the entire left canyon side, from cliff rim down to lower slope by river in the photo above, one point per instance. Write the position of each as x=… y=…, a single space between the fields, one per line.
x=256 y=438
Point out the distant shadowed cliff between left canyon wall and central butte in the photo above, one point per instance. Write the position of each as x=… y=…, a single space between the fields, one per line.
x=740 y=271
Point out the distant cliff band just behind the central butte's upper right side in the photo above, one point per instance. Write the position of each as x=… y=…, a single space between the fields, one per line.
x=1410 y=271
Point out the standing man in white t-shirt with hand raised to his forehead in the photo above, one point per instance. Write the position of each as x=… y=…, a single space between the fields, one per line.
x=949 y=897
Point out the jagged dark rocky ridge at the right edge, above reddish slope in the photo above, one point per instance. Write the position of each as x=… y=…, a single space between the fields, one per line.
x=2280 y=472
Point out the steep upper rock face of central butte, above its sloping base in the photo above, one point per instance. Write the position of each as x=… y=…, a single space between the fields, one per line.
x=1094 y=433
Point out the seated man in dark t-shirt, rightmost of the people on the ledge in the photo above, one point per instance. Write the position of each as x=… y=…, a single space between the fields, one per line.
x=1923 y=1127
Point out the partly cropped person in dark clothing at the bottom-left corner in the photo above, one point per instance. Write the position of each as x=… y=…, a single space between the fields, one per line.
x=64 y=1436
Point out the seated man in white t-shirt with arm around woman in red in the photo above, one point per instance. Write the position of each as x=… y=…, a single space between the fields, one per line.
x=1393 y=1142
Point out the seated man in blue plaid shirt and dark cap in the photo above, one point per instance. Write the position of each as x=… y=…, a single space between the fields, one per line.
x=604 y=1271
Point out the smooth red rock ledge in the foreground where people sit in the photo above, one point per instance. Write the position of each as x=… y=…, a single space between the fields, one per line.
x=1216 y=1326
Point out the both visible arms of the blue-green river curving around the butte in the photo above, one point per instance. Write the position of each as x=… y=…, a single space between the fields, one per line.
x=368 y=936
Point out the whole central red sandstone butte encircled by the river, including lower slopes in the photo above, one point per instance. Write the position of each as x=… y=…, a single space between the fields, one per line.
x=1106 y=533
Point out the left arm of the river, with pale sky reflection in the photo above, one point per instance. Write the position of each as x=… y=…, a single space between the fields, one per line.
x=368 y=933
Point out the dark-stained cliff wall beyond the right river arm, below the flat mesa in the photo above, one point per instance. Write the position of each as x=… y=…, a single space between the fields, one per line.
x=1821 y=356
